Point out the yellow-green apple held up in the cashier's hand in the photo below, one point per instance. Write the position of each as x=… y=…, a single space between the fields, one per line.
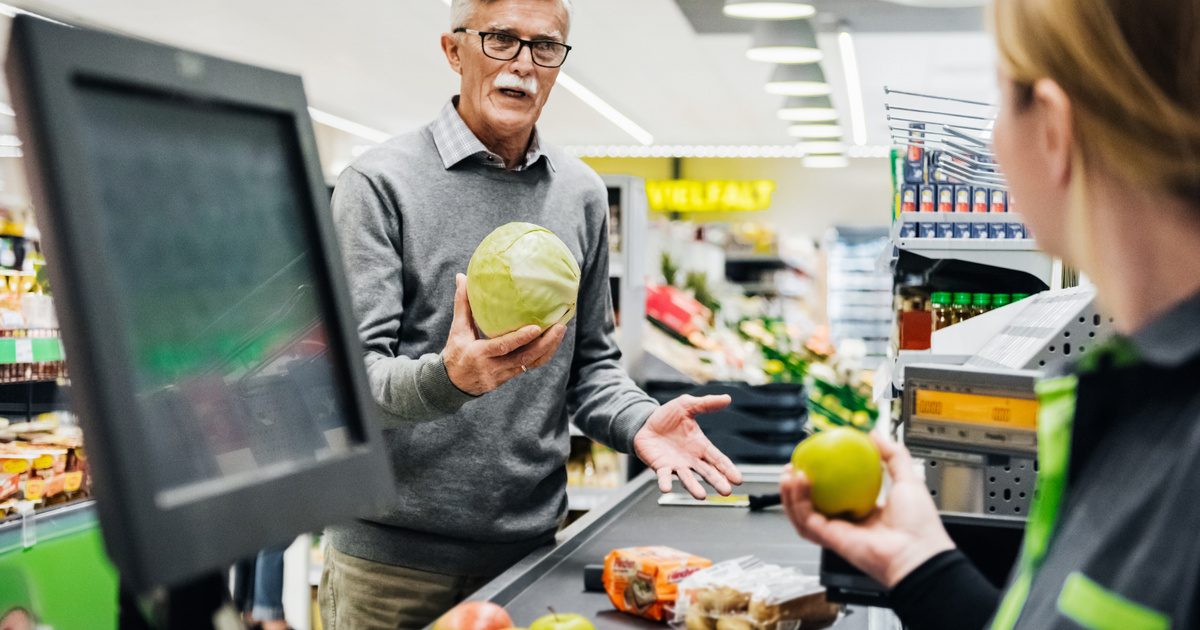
x=845 y=471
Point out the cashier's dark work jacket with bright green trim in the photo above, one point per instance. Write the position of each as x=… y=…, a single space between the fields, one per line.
x=1113 y=539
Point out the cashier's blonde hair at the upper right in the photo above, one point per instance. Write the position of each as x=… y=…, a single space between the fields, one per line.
x=1132 y=70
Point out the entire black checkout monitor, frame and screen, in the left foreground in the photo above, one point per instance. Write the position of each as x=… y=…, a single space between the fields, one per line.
x=208 y=327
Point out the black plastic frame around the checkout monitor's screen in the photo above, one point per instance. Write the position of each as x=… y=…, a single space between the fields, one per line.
x=149 y=544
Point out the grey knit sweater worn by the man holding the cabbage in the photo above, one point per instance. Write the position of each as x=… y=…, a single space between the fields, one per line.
x=479 y=482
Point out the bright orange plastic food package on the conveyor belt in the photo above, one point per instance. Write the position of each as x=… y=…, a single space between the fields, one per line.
x=645 y=581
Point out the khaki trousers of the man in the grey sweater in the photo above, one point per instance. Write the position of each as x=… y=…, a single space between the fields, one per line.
x=358 y=595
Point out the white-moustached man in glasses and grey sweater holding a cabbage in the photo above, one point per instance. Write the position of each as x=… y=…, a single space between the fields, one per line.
x=478 y=429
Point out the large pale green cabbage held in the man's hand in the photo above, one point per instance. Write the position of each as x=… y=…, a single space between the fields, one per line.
x=521 y=274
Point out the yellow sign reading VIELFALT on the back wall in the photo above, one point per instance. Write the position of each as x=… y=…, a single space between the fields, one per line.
x=712 y=196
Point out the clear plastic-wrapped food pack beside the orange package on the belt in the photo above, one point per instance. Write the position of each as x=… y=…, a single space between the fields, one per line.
x=749 y=595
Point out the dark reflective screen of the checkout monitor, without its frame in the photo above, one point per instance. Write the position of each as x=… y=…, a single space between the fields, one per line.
x=218 y=292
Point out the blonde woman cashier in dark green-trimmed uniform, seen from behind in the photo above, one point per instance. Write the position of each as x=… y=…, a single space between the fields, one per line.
x=1100 y=137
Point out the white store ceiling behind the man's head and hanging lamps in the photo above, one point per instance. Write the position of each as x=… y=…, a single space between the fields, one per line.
x=379 y=63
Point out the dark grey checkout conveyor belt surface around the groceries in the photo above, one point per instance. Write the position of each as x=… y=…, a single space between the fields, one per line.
x=554 y=578
